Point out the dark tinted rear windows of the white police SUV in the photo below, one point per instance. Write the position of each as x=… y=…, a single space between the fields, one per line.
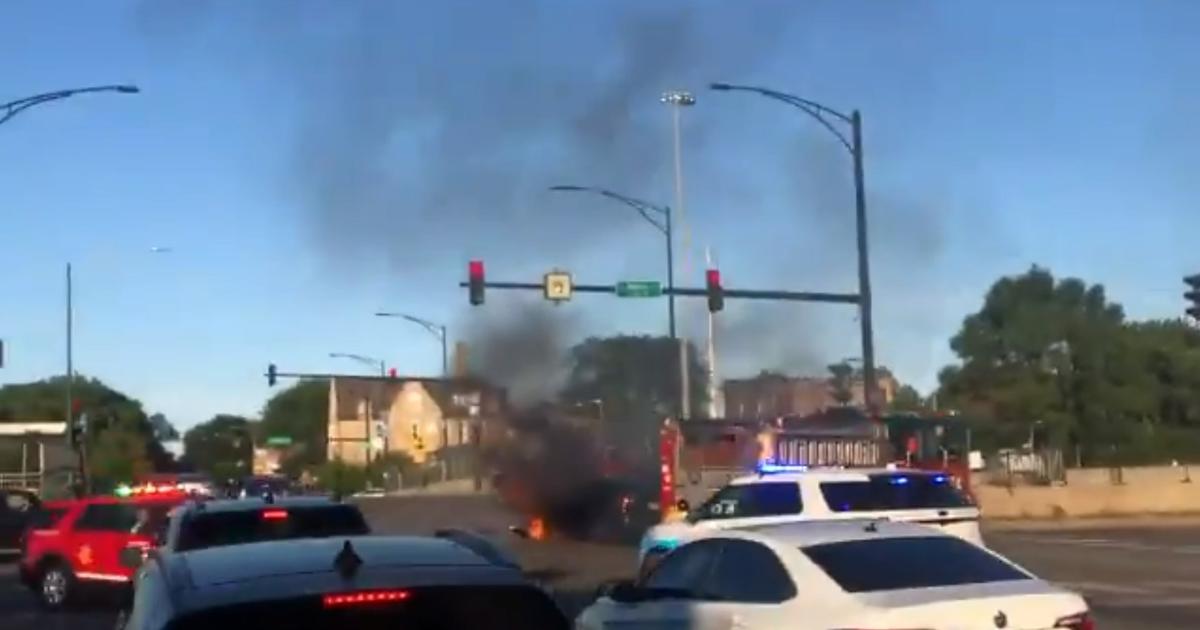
x=893 y=493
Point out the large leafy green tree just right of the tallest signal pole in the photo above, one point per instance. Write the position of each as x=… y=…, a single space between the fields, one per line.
x=1048 y=353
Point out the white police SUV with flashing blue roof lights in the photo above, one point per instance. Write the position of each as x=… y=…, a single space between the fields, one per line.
x=784 y=495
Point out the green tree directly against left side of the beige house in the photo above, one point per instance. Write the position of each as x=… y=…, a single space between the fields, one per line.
x=302 y=413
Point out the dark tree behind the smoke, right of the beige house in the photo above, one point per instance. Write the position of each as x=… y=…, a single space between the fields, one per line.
x=634 y=380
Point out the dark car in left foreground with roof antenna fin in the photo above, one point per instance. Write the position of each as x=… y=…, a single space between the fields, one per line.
x=362 y=583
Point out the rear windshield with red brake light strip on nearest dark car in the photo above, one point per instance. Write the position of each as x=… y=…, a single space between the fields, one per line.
x=508 y=608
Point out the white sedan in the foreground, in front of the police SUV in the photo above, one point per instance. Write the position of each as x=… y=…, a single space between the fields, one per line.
x=836 y=574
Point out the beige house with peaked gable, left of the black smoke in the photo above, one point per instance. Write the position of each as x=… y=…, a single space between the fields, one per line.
x=423 y=418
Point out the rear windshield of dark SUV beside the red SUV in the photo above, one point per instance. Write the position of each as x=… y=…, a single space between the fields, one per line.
x=223 y=529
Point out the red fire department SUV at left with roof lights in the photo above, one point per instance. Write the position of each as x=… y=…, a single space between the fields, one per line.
x=77 y=544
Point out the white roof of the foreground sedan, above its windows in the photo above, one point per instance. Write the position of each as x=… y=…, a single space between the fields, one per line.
x=812 y=533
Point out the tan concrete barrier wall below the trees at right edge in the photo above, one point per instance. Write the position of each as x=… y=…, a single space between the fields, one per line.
x=1096 y=493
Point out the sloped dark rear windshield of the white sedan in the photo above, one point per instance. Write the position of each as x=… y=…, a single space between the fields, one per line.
x=899 y=563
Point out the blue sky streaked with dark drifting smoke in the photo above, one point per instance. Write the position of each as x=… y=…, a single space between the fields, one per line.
x=313 y=163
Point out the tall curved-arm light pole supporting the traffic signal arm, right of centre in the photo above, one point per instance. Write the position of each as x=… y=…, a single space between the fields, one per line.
x=854 y=145
